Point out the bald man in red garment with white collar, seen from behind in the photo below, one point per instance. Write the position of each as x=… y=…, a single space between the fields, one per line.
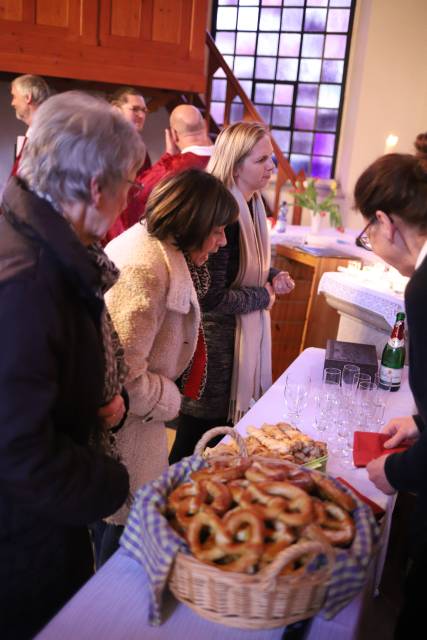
x=187 y=146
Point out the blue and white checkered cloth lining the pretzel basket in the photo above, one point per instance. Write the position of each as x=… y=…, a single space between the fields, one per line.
x=150 y=540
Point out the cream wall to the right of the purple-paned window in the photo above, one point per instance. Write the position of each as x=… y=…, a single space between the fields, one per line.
x=386 y=88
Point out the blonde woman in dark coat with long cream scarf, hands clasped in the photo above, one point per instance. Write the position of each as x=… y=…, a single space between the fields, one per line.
x=236 y=315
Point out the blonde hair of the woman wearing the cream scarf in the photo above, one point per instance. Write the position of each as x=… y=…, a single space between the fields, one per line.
x=232 y=146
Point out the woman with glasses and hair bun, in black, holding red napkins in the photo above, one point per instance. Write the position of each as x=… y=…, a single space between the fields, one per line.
x=392 y=196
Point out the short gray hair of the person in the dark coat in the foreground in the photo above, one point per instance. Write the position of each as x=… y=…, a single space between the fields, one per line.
x=76 y=137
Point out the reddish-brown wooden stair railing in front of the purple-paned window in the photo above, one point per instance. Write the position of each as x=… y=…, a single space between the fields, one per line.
x=233 y=90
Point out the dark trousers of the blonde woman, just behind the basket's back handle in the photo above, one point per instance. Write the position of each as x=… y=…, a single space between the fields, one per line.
x=188 y=433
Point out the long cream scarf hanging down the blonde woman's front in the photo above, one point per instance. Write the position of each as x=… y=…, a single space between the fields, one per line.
x=252 y=344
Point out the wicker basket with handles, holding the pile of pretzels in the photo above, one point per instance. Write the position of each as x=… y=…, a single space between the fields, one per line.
x=261 y=601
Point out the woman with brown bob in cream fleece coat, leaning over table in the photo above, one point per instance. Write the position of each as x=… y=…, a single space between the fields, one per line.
x=155 y=309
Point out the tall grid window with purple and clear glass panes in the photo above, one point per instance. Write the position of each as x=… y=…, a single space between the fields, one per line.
x=290 y=57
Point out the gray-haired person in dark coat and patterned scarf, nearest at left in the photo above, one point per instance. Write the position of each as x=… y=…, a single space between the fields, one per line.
x=60 y=382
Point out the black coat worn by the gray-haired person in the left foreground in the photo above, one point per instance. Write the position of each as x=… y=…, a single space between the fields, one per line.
x=52 y=482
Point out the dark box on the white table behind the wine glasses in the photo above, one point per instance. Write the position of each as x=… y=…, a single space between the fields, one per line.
x=363 y=355
